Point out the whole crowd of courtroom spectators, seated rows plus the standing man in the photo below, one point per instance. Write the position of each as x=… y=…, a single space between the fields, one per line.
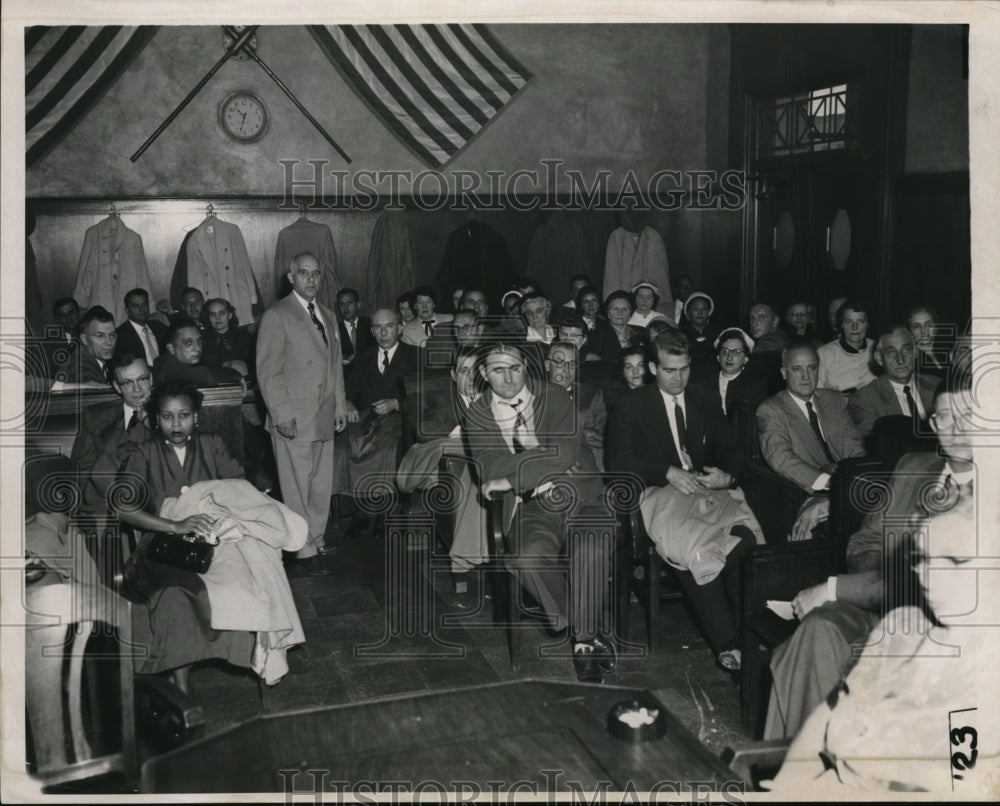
x=542 y=396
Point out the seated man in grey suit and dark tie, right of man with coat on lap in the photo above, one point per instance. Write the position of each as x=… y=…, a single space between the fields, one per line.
x=795 y=447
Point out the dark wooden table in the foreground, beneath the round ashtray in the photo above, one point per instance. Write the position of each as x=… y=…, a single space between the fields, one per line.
x=530 y=736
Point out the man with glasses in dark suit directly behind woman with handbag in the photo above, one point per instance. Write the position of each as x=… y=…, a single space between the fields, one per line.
x=108 y=431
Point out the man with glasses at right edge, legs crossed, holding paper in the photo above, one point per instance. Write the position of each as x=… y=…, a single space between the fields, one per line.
x=840 y=613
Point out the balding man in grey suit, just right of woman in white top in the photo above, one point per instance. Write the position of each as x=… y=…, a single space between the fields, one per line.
x=896 y=392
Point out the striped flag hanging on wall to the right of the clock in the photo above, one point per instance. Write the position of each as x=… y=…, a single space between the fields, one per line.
x=434 y=86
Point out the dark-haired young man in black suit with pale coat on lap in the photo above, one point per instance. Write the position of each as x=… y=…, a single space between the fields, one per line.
x=672 y=436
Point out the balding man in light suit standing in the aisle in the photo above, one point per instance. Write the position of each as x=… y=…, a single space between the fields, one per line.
x=301 y=378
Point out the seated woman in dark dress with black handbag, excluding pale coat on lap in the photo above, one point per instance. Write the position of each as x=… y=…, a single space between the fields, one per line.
x=175 y=626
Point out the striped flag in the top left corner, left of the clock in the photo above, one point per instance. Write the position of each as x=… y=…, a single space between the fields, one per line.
x=67 y=69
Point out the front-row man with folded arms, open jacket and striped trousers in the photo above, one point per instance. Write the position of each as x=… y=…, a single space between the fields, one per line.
x=525 y=440
